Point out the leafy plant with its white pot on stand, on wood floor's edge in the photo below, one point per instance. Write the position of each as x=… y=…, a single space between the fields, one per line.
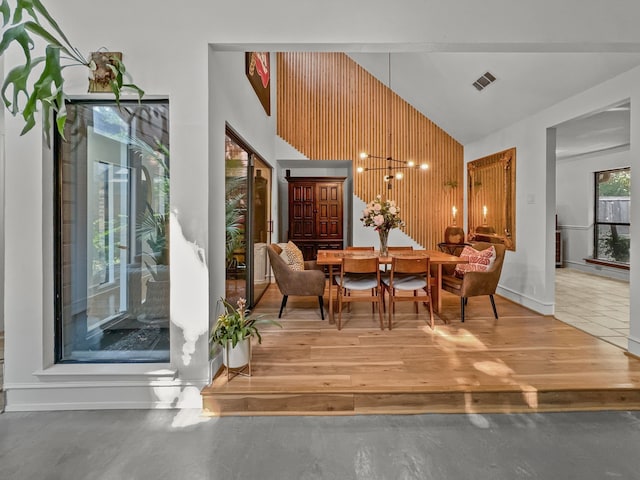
x=233 y=331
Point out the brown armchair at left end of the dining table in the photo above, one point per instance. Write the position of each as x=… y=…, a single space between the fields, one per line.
x=307 y=282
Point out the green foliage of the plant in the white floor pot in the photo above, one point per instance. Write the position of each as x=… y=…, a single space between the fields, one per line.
x=234 y=325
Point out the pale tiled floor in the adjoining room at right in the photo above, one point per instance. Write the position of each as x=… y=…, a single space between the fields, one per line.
x=594 y=304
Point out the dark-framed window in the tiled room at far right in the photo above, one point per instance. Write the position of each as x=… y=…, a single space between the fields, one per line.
x=612 y=219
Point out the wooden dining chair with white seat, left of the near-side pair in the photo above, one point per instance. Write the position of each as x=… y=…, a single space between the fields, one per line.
x=359 y=274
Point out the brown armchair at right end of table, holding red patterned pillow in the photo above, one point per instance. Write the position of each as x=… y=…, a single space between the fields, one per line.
x=474 y=284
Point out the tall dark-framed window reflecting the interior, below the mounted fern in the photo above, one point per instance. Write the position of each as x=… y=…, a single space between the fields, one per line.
x=112 y=242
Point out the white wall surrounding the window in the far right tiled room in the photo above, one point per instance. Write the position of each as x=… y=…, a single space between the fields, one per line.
x=574 y=205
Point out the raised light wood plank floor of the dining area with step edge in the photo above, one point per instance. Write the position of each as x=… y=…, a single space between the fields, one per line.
x=521 y=362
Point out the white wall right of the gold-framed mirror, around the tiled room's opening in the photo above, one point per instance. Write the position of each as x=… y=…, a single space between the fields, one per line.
x=529 y=272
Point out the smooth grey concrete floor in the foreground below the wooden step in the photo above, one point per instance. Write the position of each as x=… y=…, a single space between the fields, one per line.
x=117 y=445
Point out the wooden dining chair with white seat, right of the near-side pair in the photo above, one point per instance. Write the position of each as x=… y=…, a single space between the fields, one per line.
x=408 y=274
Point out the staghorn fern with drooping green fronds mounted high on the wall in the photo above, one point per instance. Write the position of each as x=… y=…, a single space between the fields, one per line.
x=29 y=19
